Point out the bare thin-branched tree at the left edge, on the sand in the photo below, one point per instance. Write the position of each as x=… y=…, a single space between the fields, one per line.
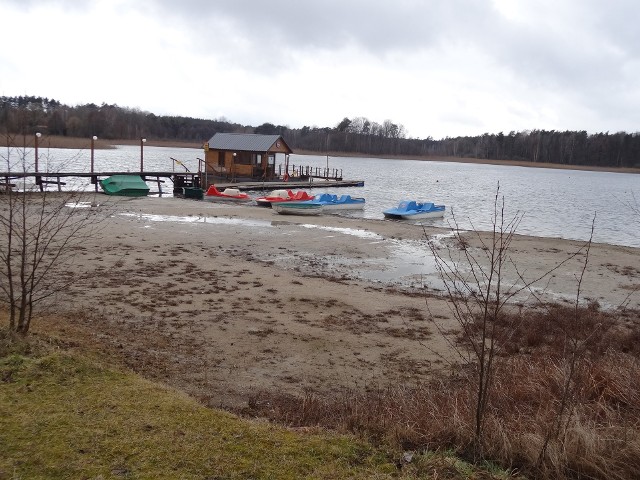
x=39 y=232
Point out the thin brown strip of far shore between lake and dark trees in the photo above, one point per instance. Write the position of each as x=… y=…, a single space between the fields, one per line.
x=54 y=141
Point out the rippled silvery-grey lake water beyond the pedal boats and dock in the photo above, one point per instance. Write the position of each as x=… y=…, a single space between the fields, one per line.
x=554 y=203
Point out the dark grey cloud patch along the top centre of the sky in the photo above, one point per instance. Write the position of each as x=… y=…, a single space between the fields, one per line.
x=373 y=26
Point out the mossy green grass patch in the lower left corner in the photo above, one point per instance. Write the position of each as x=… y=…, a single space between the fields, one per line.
x=63 y=416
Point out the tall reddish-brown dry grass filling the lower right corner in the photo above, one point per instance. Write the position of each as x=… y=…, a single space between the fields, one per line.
x=597 y=436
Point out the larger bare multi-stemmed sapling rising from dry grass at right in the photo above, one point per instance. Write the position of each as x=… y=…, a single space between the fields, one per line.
x=482 y=302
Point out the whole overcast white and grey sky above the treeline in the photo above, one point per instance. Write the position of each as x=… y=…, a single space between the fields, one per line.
x=439 y=67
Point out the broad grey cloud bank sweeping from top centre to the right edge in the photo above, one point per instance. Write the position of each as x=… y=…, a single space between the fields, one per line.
x=579 y=48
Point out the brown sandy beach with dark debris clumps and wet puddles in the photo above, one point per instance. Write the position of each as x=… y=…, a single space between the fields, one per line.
x=224 y=300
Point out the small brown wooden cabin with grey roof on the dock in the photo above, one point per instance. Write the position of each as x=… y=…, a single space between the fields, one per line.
x=243 y=155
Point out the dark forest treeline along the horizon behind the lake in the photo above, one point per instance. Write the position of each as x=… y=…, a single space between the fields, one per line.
x=28 y=114
